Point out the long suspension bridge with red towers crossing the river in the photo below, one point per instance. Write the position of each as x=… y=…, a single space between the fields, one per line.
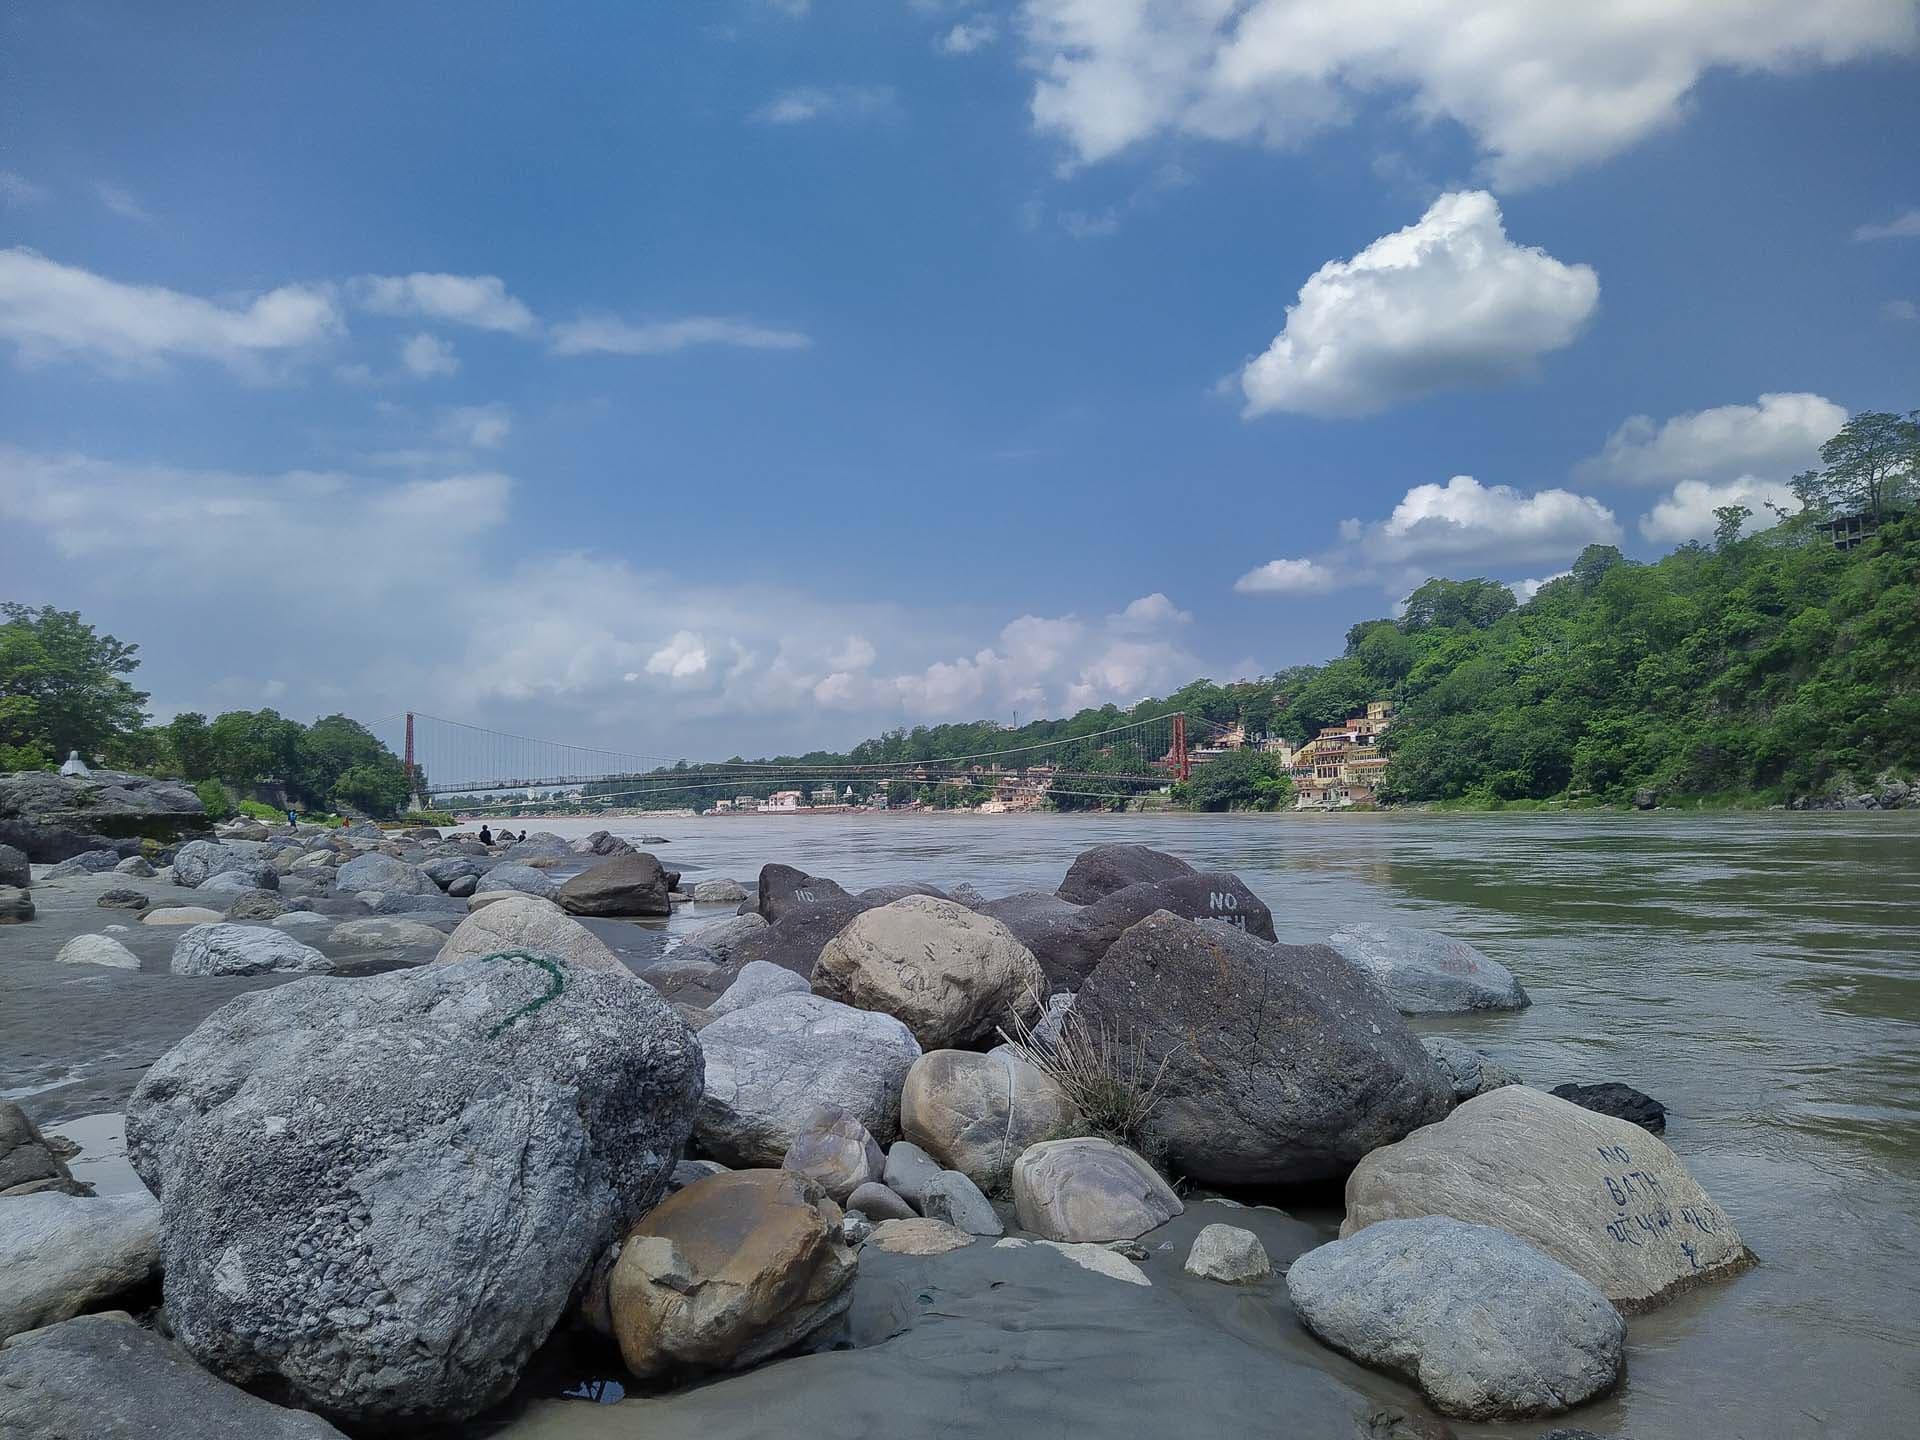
x=479 y=769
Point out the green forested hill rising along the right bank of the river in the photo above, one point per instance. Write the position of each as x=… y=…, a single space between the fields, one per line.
x=1758 y=669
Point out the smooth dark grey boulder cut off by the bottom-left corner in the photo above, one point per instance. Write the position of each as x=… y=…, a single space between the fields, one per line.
x=105 y=1378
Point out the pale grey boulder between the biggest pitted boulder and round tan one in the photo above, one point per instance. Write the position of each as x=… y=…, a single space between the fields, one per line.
x=773 y=1063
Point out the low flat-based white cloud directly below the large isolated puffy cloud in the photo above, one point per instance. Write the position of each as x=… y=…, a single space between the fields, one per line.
x=1456 y=531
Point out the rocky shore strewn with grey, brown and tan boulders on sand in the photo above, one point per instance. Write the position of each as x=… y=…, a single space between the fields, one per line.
x=462 y=1118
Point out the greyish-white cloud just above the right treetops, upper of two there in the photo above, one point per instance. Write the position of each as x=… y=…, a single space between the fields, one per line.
x=1779 y=435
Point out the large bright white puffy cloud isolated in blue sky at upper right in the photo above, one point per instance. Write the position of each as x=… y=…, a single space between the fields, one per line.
x=1443 y=304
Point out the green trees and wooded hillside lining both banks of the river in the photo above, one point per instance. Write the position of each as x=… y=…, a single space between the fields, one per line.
x=1767 y=669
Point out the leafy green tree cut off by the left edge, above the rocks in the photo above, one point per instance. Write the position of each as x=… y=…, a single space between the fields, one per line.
x=62 y=688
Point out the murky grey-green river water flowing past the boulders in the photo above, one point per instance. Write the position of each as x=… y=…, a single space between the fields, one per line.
x=1758 y=974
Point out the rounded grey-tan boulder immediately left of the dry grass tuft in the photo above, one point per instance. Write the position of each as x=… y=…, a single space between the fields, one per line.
x=978 y=1113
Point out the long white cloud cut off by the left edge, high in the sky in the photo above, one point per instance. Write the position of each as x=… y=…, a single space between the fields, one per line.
x=53 y=312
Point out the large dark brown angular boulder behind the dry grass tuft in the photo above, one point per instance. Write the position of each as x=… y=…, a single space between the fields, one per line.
x=1276 y=1065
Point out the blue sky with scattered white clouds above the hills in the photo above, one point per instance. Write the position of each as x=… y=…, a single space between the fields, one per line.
x=761 y=375
